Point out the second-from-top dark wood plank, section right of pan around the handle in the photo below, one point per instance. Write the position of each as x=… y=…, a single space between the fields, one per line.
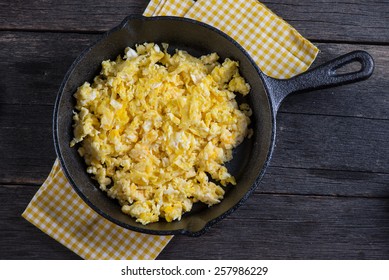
x=366 y=99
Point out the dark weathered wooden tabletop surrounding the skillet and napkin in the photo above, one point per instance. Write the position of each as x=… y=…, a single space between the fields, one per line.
x=326 y=193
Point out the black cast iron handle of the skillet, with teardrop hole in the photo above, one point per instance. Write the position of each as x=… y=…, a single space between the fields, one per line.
x=323 y=76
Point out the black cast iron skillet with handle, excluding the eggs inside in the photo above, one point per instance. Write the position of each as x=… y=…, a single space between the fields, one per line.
x=250 y=159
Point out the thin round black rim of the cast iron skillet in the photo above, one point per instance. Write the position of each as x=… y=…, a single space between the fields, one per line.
x=183 y=231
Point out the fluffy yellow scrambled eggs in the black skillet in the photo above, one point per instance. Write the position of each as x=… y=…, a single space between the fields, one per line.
x=155 y=129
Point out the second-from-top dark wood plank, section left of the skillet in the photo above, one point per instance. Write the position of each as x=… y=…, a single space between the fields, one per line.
x=32 y=65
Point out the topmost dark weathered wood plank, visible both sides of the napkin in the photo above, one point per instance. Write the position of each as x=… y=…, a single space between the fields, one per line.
x=316 y=19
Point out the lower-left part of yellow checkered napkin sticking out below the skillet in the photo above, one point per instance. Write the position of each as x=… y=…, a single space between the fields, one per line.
x=58 y=211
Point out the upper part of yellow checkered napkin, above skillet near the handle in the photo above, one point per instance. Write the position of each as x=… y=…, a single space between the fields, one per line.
x=277 y=48
